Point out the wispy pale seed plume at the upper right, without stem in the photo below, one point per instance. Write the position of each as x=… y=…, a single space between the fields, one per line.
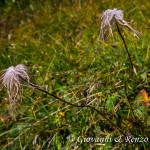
x=109 y=17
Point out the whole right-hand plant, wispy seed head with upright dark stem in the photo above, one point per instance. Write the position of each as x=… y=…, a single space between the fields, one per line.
x=109 y=18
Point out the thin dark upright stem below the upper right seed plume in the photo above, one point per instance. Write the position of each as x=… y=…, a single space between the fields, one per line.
x=125 y=86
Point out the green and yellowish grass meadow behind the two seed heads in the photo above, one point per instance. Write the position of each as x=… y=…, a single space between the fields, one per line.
x=57 y=40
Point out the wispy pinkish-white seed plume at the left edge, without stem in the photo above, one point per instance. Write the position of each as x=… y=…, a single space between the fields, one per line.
x=13 y=79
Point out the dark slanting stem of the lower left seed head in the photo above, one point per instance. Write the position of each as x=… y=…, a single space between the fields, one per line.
x=102 y=114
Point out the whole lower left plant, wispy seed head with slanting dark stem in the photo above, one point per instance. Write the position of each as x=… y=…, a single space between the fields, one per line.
x=14 y=76
